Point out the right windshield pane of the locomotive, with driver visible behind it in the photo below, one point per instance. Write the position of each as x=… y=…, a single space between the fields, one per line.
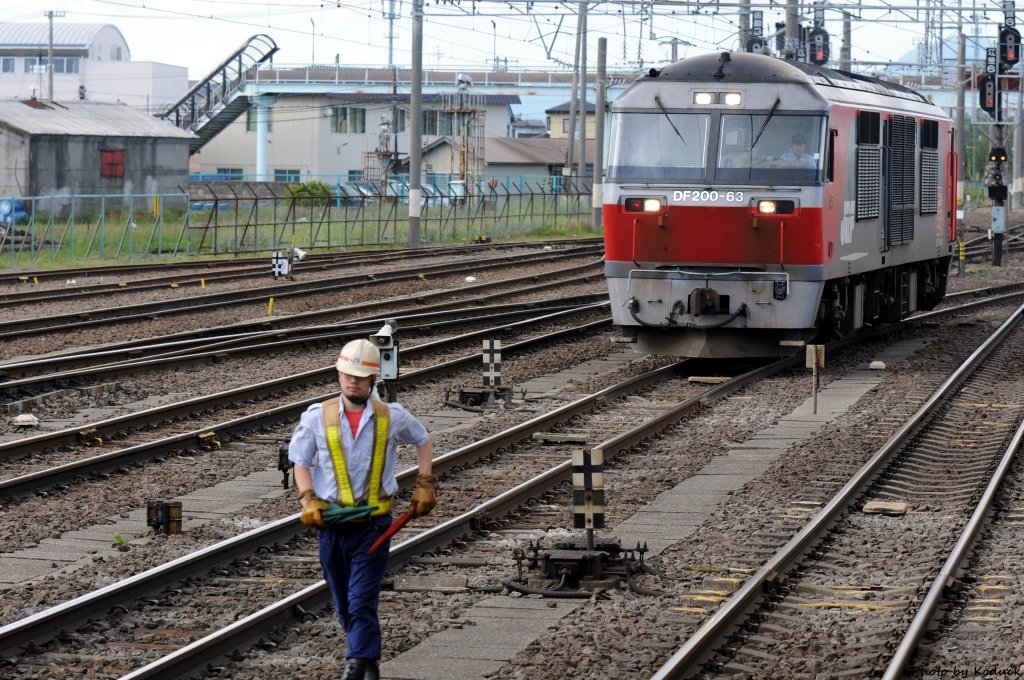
x=775 y=149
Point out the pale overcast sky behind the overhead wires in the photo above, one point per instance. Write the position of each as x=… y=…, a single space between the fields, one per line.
x=200 y=34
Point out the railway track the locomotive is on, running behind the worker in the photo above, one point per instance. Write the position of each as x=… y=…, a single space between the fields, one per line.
x=528 y=475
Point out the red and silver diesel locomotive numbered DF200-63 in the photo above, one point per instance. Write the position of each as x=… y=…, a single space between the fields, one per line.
x=754 y=204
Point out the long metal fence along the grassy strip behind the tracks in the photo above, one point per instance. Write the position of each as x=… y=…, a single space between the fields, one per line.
x=236 y=219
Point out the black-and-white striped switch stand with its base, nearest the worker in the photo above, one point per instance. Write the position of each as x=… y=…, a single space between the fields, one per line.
x=579 y=568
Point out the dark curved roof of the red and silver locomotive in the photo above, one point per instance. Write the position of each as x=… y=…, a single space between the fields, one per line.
x=748 y=68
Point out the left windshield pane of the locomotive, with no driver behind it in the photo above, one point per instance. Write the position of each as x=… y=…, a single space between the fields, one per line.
x=659 y=146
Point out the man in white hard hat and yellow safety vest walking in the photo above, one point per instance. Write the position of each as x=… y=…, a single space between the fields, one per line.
x=346 y=452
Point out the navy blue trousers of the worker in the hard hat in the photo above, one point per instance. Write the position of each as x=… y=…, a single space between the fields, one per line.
x=355 y=579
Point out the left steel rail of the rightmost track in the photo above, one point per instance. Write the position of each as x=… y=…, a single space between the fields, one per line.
x=685 y=662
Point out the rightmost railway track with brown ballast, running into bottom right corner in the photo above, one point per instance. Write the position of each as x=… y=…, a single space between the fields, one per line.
x=861 y=562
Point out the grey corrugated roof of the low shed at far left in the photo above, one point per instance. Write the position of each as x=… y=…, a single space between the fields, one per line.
x=87 y=119
